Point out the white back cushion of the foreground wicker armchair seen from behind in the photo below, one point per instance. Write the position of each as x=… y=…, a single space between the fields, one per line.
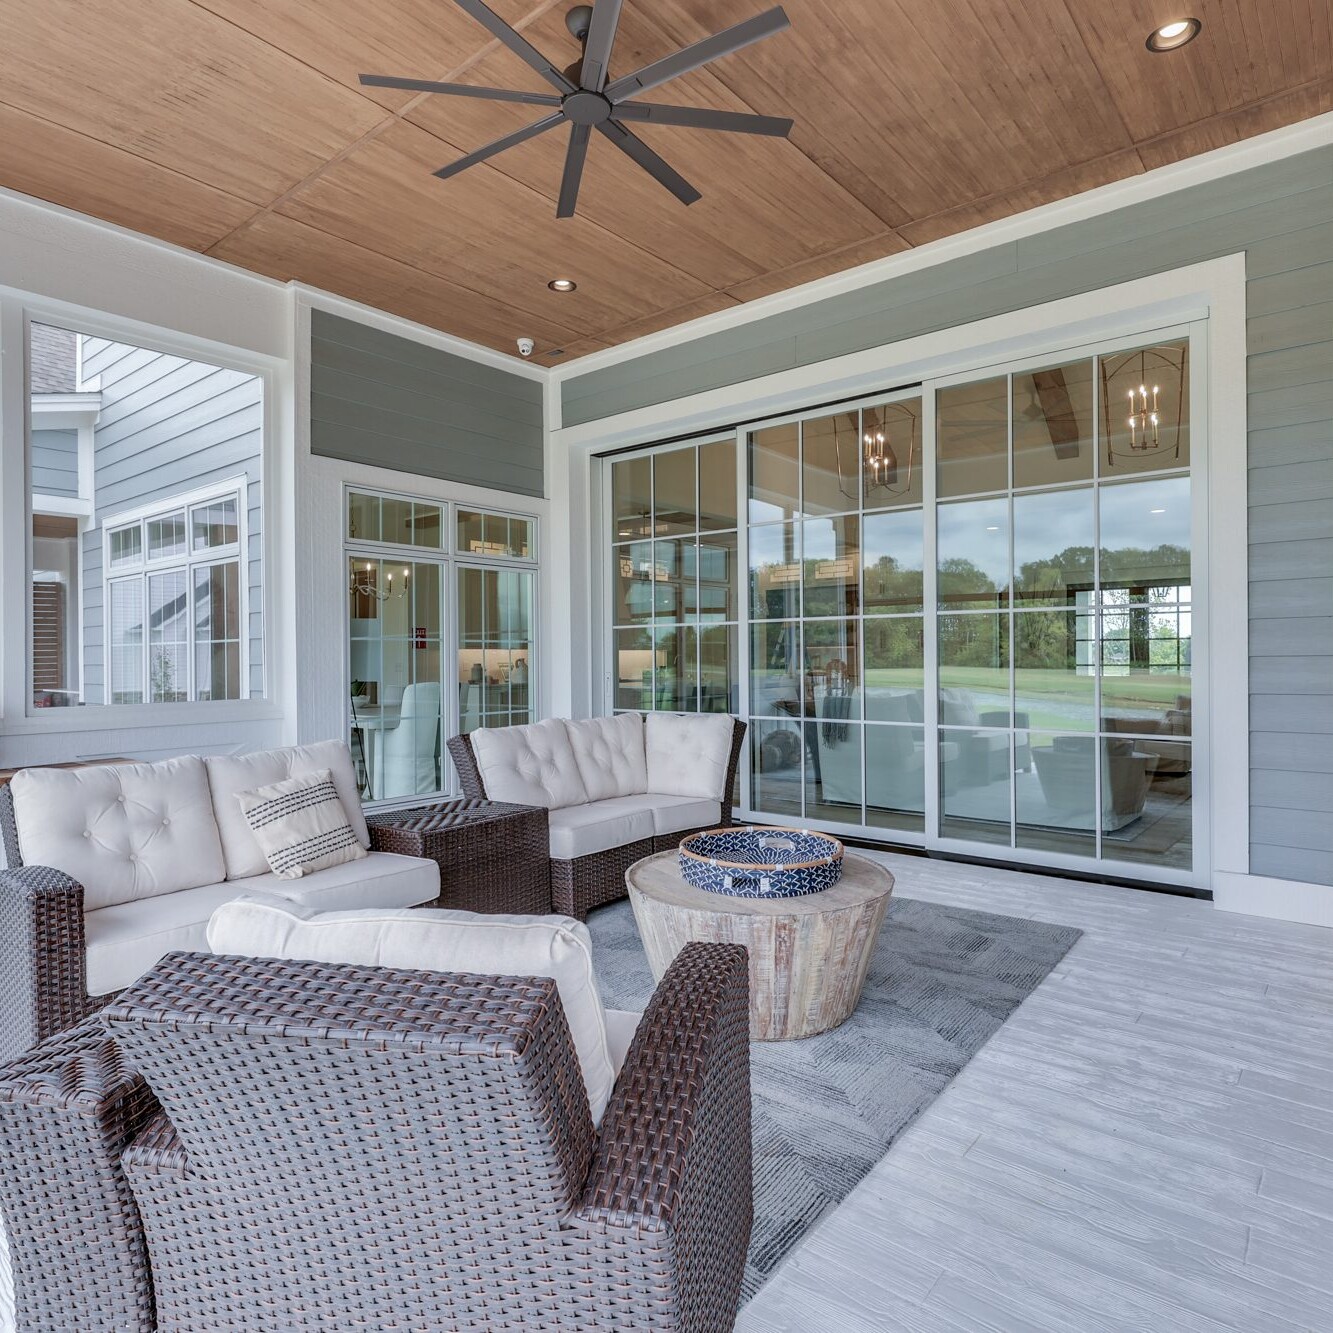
x=438 y=940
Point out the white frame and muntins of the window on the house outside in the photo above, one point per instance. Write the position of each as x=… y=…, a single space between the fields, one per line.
x=235 y=489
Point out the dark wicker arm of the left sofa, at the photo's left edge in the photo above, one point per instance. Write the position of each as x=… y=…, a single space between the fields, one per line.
x=42 y=947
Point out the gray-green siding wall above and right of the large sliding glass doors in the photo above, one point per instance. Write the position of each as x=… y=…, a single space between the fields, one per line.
x=1282 y=217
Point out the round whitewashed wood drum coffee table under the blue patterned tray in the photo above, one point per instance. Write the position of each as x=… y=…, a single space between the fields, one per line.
x=808 y=955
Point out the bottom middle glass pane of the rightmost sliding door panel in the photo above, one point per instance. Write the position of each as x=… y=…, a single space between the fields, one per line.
x=1056 y=794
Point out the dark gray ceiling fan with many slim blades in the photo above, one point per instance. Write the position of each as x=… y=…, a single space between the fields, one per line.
x=587 y=98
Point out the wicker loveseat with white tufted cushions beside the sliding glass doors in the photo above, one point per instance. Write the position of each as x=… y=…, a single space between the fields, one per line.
x=617 y=790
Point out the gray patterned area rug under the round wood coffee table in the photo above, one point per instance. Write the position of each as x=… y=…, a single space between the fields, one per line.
x=828 y=1108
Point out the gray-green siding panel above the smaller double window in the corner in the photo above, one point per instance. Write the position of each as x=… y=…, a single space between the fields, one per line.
x=394 y=403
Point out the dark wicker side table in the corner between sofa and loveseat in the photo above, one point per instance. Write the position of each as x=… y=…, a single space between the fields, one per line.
x=493 y=858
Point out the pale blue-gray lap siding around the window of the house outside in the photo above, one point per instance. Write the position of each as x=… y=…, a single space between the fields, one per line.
x=169 y=426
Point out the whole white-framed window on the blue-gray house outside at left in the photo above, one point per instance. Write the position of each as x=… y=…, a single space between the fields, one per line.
x=193 y=598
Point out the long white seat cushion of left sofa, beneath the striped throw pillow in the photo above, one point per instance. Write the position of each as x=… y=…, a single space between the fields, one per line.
x=127 y=939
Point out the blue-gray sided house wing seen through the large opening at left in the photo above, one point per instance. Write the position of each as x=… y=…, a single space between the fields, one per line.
x=146 y=511
